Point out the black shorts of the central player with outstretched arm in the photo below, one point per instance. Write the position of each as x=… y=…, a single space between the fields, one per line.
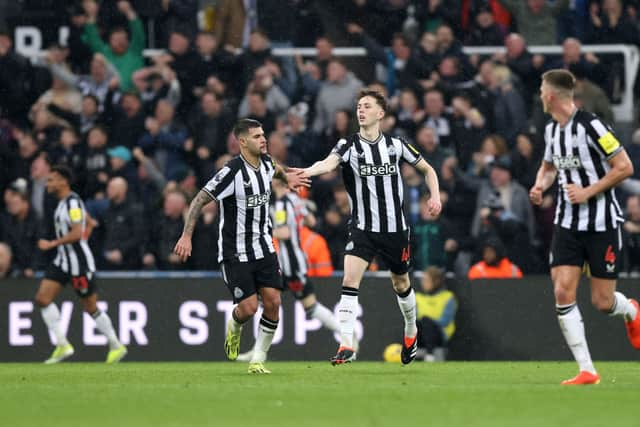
x=392 y=248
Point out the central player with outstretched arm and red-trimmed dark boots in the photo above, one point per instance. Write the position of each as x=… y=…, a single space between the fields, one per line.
x=370 y=164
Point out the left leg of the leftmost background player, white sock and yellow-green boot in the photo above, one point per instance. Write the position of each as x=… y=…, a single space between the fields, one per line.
x=49 y=289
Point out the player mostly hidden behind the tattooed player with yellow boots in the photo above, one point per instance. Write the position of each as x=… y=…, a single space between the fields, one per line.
x=288 y=215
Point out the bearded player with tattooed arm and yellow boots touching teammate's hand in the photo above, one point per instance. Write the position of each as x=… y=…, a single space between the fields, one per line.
x=245 y=246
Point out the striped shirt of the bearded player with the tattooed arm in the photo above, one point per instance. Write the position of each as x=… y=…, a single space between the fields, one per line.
x=243 y=193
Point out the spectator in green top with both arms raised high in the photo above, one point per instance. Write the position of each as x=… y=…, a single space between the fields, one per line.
x=124 y=55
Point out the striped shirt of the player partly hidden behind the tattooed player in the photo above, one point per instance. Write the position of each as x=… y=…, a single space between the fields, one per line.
x=288 y=211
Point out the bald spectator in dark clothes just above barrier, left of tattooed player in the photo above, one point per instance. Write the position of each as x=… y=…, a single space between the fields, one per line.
x=164 y=232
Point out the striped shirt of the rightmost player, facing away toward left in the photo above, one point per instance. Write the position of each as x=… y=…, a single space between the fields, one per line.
x=580 y=151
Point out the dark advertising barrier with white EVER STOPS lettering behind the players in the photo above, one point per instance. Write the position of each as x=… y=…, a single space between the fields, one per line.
x=183 y=319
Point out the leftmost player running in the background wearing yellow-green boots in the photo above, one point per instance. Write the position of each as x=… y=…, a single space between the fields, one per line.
x=73 y=263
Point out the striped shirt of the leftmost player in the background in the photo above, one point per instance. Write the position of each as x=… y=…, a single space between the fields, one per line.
x=75 y=258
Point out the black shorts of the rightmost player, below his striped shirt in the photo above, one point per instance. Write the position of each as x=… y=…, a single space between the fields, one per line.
x=600 y=250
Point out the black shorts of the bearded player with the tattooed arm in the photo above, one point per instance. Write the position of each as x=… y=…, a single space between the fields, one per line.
x=243 y=279
